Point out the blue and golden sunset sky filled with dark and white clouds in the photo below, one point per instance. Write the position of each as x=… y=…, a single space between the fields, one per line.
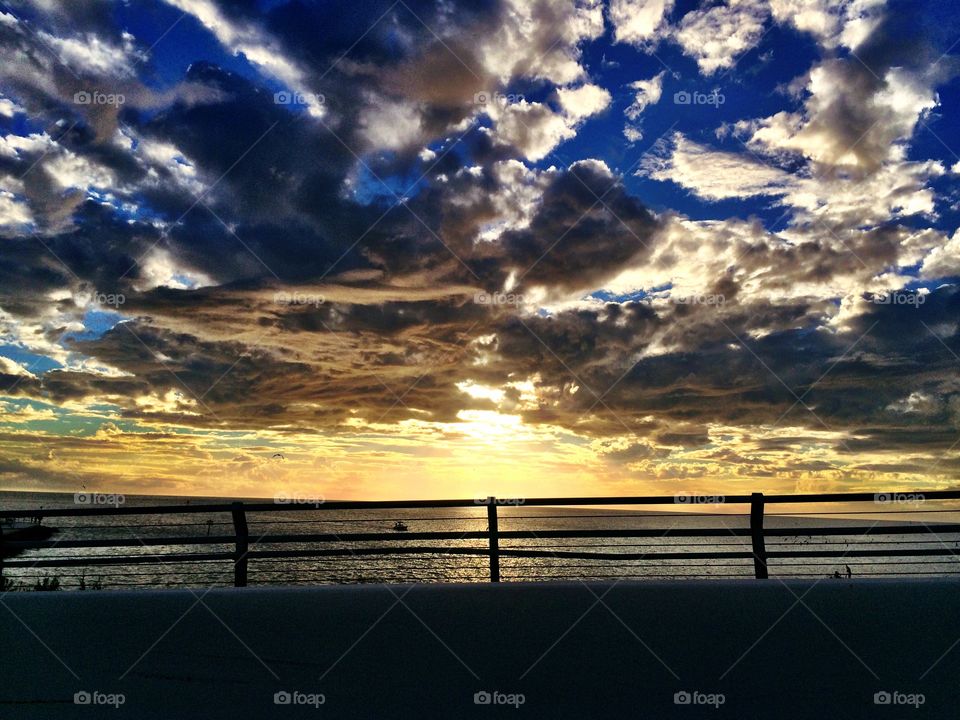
x=377 y=249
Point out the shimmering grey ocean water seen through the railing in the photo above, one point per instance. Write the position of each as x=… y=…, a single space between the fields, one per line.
x=355 y=567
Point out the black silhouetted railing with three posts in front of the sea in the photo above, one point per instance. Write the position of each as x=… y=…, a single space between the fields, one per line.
x=752 y=549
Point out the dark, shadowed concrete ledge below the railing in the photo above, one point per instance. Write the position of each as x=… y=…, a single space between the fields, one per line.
x=425 y=651
